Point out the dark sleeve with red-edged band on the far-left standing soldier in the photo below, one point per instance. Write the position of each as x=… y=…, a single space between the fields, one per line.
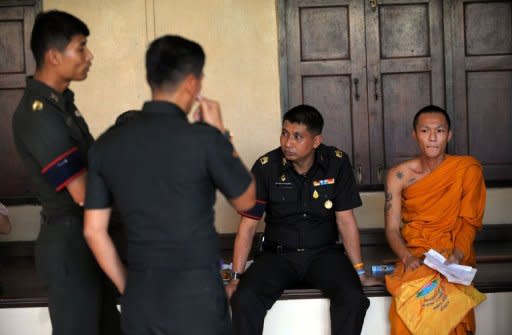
x=47 y=139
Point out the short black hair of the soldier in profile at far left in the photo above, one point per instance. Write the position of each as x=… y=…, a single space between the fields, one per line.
x=54 y=29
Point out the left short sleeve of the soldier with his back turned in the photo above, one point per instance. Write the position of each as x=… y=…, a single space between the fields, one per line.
x=98 y=195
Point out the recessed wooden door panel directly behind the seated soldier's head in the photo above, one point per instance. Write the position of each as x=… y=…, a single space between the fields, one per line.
x=332 y=93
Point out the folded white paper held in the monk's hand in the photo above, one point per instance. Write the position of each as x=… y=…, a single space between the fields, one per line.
x=455 y=273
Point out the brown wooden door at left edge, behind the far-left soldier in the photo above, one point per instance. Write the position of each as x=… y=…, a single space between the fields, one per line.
x=16 y=62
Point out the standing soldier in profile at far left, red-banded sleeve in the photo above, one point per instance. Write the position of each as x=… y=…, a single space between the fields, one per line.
x=53 y=139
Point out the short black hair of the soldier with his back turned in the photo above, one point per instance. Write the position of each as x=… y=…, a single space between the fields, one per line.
x=170 y=58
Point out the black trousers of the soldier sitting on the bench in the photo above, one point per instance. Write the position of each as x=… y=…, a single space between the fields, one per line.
x=326 y=269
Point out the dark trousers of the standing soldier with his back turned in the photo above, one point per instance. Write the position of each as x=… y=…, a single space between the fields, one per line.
x=163 y=301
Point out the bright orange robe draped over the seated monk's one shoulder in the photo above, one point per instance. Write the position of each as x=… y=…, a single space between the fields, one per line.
x=441 y=211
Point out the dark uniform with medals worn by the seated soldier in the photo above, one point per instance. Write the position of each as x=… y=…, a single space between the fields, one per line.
x=300 y=242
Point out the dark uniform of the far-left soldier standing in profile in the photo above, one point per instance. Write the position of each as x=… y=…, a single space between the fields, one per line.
x=52 y=139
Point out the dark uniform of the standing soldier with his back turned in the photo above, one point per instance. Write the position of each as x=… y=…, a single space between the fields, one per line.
x=163 y=172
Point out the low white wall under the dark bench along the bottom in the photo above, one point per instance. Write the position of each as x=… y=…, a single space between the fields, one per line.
x=293 y=317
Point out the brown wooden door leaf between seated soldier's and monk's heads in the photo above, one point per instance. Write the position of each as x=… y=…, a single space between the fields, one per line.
x=404 y=46
